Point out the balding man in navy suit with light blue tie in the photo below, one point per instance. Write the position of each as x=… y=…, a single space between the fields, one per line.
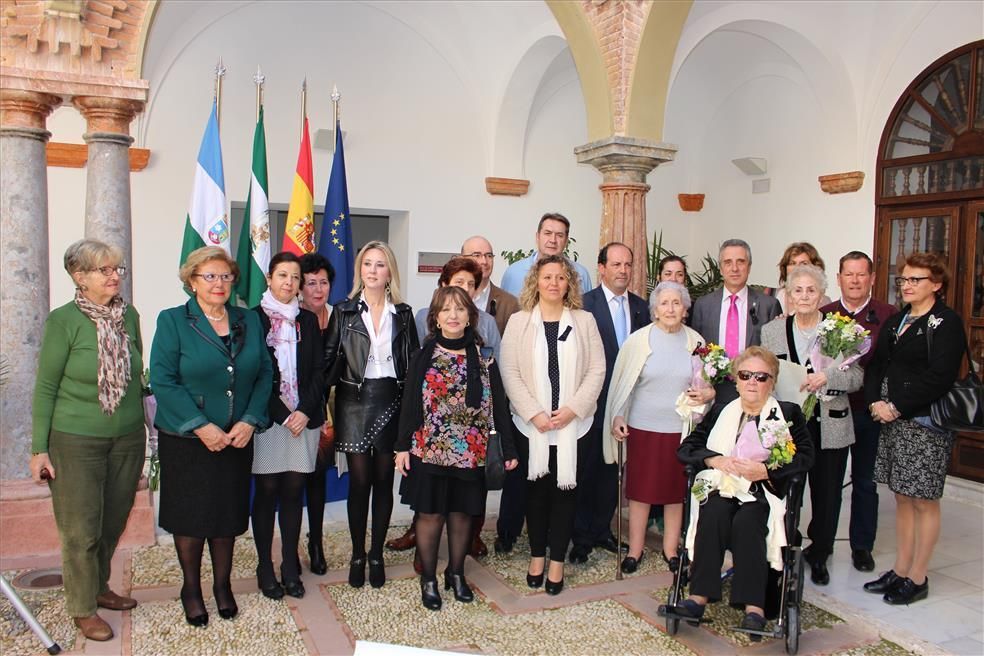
x=618 y=312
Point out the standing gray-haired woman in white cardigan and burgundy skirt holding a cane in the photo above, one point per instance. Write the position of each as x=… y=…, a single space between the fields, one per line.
x=653 y=369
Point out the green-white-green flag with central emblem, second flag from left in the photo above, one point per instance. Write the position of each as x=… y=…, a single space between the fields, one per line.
x=253 y=255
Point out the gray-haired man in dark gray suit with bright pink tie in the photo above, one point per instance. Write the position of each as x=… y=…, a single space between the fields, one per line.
x=733 y=316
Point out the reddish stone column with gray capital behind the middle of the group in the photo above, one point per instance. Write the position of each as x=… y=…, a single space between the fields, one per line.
x=624 y=163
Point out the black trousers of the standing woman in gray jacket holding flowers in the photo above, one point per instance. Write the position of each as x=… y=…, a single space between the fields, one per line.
x=826 y=478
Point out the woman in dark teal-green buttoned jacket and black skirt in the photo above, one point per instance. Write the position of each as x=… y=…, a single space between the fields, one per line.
x=212 y=378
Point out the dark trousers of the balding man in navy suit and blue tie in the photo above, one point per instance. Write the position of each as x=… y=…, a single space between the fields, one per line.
x=597 y=490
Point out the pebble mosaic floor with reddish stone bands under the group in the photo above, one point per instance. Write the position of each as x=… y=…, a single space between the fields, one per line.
x=594 y=614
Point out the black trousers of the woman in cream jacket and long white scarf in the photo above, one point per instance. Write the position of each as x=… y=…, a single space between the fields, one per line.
x=549 y=514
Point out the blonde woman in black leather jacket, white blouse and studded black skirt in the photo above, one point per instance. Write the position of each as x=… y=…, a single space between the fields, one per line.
x=367 y=348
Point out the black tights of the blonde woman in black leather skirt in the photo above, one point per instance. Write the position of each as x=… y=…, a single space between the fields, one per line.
x=370 y=472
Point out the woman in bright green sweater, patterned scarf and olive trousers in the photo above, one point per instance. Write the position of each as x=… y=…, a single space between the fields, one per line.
x=88 y=433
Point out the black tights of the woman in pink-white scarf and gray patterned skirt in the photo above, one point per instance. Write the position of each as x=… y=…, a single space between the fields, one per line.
x=285 y=487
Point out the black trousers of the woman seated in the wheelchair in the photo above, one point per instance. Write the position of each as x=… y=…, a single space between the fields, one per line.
x=741 y=527
